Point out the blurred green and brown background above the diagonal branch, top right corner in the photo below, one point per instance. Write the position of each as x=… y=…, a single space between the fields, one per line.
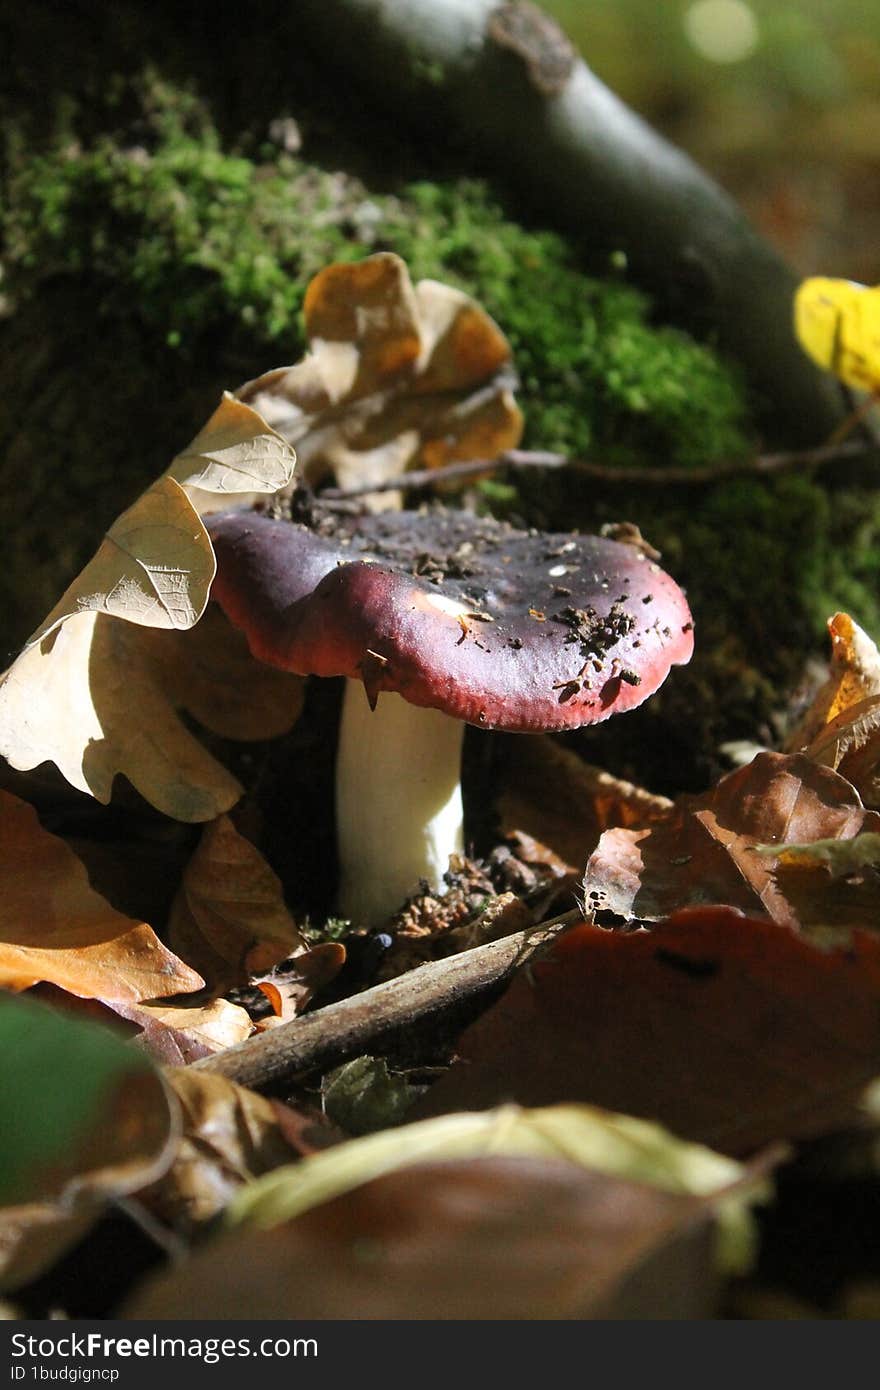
x=779 y=101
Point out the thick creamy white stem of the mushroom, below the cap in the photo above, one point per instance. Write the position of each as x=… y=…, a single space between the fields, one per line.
x=398 y=801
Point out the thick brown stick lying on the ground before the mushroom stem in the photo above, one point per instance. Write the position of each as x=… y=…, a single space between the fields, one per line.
x=355 y=1025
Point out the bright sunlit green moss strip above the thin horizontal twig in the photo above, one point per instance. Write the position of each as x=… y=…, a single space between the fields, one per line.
x=201 y=243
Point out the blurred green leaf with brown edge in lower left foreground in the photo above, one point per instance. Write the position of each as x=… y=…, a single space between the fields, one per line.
x=84 y=1120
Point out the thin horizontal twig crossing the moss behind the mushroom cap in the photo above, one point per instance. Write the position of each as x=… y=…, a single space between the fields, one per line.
x=765 y=464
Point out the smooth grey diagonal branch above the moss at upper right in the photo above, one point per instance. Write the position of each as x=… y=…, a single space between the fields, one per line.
x=504 y=84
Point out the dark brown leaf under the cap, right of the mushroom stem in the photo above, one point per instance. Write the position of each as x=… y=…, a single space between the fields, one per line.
x=551 y=794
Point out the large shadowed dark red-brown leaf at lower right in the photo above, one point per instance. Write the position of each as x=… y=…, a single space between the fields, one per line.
x=729 y=1031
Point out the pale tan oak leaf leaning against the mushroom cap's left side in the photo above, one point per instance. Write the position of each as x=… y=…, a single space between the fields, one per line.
x=88 y=692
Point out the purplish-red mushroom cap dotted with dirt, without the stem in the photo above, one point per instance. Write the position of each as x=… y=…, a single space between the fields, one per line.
x=504 y=629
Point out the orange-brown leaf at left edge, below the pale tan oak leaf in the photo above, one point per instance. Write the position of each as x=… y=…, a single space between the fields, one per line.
x=55 y=928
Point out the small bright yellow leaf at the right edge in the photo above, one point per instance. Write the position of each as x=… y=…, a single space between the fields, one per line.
x=838 y=323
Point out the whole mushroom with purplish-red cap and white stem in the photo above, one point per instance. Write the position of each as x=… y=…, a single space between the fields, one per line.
x=440 y=621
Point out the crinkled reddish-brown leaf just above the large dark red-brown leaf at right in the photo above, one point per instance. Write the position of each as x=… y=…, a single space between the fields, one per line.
x=706 y=851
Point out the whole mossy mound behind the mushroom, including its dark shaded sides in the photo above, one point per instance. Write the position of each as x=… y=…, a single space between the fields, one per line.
x=154 y=265
